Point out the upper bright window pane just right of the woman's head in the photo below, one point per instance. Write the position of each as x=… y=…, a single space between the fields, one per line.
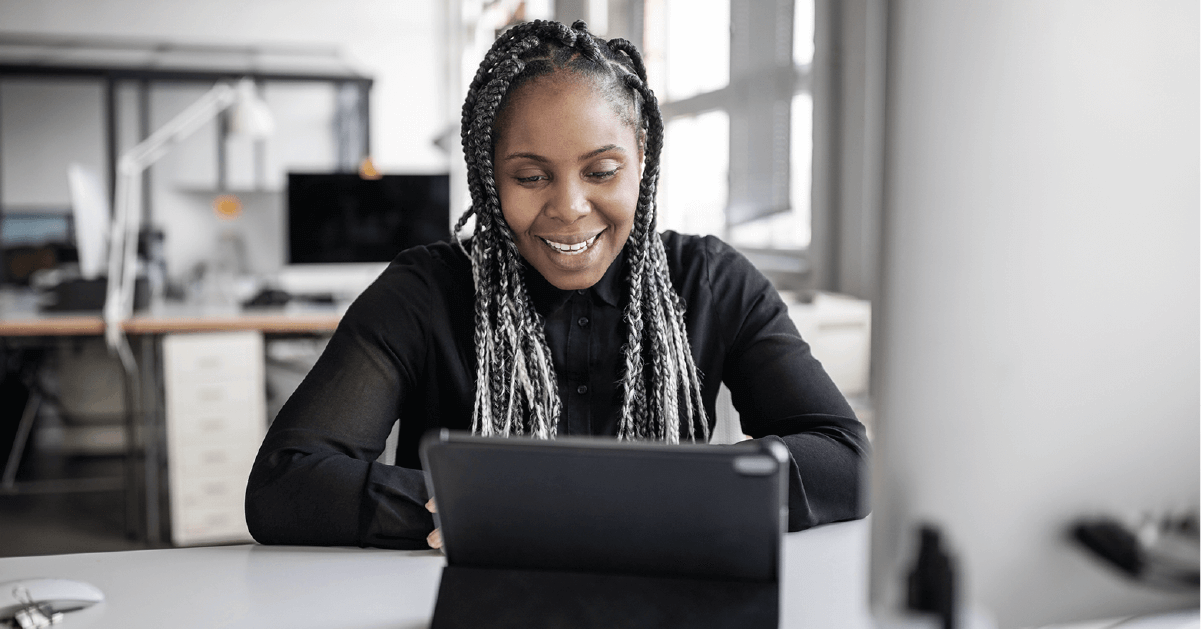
x=698 y=47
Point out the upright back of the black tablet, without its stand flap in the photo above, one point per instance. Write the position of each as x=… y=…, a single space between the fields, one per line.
x=604 y=506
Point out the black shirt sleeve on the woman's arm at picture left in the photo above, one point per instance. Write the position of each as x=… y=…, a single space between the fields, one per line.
x=316 y=480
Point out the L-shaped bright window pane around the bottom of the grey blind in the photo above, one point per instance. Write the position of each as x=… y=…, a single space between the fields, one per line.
x=793 y=229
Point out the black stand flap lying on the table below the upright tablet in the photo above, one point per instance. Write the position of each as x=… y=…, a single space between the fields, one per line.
x=524 y=600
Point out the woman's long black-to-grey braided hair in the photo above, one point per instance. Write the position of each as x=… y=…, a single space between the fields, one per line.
x=516 y=384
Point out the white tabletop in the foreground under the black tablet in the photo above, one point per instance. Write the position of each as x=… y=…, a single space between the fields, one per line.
x=294 y=588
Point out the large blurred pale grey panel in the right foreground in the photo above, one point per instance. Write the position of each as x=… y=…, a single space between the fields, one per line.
x=1037 y=344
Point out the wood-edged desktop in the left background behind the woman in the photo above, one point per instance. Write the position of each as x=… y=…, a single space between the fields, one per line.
x=20 y=318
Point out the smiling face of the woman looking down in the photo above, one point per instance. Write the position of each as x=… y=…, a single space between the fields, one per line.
x=567 y=171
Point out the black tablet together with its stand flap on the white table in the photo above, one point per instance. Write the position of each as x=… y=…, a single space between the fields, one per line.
x=584 y=532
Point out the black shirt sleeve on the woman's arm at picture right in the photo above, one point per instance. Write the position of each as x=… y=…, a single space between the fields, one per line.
x=779 y=387
